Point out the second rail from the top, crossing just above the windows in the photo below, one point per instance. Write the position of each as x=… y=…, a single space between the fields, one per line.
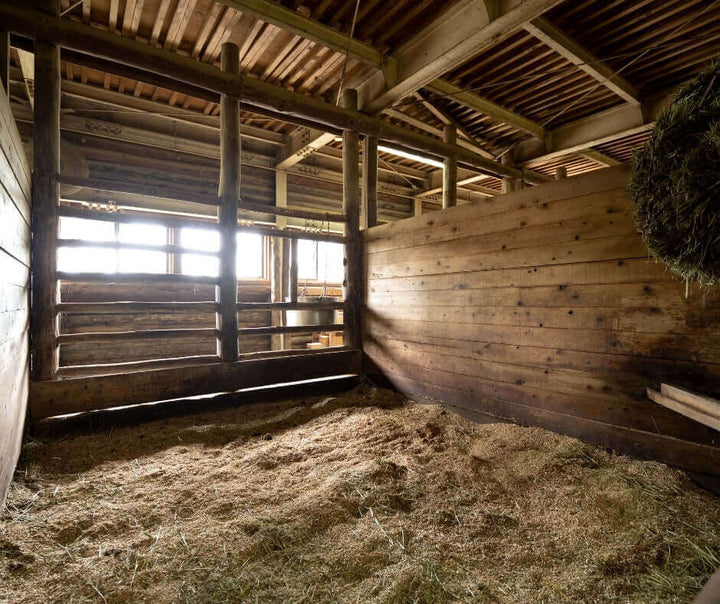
x=178 y=221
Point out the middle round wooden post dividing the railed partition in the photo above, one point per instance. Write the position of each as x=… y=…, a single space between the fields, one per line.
x=226 y=290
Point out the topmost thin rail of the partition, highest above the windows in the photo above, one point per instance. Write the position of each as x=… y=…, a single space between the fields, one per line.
x=112 y=186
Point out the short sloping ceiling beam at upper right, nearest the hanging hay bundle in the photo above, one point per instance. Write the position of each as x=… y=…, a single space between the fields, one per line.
x=569 y=49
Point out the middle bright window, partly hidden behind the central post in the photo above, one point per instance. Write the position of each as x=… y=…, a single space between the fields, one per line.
x=250 y=253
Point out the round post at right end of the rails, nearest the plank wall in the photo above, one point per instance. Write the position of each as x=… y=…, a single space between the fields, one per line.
x=352 y=284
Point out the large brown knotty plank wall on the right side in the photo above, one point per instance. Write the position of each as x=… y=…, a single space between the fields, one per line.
x=541 y=307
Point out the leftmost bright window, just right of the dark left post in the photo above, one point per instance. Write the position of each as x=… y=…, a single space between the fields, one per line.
x=106 y=259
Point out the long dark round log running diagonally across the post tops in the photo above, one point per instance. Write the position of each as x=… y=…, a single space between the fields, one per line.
x=256 y=93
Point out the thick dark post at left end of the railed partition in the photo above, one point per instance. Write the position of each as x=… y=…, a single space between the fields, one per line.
x=45 y=201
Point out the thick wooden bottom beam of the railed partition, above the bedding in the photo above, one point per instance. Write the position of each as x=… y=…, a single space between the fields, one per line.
x=60 y=397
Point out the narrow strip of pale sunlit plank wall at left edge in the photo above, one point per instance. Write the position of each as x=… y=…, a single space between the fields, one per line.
x=14 y=279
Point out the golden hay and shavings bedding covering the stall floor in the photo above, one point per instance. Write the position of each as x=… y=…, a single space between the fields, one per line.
x=359 y=498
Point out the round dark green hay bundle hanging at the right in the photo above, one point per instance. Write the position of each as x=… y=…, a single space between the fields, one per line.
x=675 y=182
